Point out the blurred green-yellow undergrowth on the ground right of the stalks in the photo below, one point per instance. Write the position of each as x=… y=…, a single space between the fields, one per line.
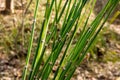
x=103 y=48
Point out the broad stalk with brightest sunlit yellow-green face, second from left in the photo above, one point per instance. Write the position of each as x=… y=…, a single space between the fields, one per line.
x=43 y=33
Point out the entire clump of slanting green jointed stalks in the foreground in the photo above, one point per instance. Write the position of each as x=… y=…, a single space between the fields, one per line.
x=69 y=12
